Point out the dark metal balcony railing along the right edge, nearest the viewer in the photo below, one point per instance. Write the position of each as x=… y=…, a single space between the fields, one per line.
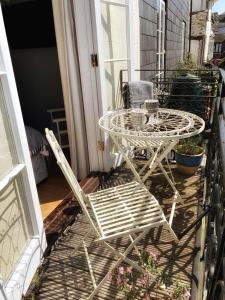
x=214 y=255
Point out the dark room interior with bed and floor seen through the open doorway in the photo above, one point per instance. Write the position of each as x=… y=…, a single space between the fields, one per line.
x=31 y=38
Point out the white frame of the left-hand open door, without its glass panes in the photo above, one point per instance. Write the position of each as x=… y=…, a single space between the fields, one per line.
x=18 y=282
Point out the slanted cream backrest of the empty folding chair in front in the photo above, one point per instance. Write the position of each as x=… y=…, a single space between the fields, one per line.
x=69 y=175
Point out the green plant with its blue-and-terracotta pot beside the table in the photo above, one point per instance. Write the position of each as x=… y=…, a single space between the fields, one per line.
x=188 y=156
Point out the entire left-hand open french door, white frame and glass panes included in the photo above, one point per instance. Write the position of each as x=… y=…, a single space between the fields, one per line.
x=22 y=238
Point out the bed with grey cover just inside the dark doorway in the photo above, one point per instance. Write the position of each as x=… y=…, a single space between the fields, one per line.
x=38 y=146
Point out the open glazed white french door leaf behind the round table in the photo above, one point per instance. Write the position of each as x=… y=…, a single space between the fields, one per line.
x=115 y=35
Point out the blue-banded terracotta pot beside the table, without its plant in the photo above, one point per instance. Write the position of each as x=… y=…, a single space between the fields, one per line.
x=188 y=164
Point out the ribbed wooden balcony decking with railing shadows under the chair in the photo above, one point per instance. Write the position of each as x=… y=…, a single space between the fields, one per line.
x=66 y=277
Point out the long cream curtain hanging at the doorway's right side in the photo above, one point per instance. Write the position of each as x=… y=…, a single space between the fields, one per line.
x=71 y=85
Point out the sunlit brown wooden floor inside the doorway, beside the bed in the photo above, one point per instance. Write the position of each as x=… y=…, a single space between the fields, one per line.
x=52 y=191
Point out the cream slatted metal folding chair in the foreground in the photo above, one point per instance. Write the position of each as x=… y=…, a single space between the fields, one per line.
x=127 y=210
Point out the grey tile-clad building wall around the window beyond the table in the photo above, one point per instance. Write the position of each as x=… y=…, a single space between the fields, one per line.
x=177 y=11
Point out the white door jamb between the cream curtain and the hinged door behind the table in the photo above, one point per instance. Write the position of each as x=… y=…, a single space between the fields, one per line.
x=90 y=91
